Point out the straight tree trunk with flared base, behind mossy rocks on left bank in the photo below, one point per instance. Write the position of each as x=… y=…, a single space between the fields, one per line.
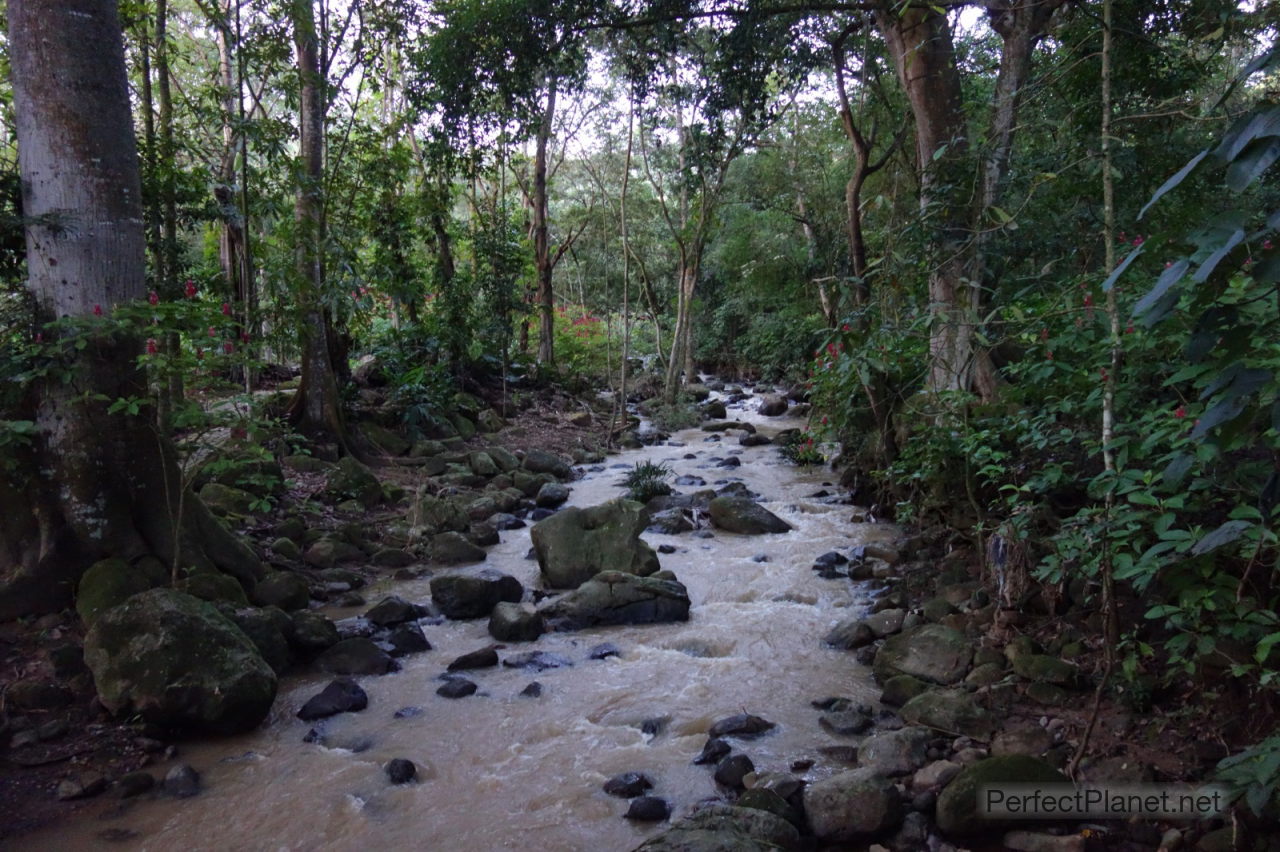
x=317 y=410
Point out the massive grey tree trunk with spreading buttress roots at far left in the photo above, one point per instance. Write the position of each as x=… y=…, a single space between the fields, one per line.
x=92 y=484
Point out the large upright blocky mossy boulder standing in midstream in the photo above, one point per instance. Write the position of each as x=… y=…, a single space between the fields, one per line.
x=577 y=544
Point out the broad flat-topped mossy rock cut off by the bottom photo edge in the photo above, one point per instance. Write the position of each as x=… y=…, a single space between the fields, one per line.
x=725 y=828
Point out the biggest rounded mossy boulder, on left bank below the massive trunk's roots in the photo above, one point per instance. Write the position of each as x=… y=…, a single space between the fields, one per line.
x=180 y=663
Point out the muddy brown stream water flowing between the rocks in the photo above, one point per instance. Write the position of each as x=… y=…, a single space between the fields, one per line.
x=501 y=772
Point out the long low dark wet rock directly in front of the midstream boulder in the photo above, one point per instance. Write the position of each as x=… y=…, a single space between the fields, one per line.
x=614 y=598
